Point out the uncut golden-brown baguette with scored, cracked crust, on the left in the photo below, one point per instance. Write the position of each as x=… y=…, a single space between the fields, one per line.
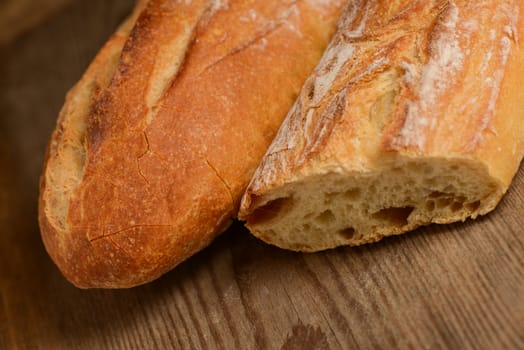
x=158 y=141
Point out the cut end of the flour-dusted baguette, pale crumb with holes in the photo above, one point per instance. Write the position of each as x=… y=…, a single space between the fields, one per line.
x=346 y=208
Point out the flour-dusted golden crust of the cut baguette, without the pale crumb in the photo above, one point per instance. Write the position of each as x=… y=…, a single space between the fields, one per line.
x=405 y=81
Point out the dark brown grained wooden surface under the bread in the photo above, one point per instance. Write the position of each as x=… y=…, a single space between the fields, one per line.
x=458 y=287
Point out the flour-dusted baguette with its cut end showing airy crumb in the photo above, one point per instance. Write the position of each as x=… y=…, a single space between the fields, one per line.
x=415 y=115
